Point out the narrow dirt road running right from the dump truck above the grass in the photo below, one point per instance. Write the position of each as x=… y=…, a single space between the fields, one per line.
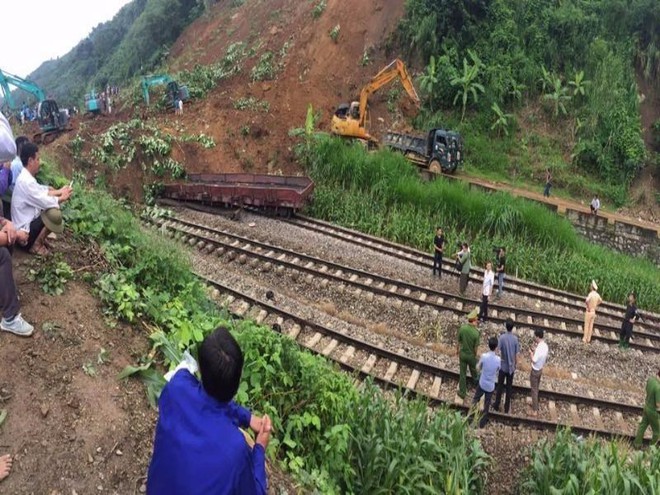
x=561 y=203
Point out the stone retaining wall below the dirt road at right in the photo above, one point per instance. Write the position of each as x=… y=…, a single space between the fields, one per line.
x=624 y=237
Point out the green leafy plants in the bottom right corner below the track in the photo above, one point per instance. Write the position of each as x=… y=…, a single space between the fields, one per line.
x=571 y=466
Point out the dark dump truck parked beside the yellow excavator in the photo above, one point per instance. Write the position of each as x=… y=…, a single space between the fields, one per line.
x=441 y=151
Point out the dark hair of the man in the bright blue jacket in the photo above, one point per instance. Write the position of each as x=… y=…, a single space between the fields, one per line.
x=220 y=364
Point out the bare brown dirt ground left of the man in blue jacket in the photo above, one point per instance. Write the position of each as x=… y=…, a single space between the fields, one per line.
x=71 y=430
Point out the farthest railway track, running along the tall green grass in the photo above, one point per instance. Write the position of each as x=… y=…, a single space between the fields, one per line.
x=512 y=285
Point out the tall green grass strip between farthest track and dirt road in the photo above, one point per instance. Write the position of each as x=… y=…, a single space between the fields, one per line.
x=381 y=194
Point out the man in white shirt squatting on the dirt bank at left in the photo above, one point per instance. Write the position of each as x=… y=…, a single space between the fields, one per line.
x=33 y=206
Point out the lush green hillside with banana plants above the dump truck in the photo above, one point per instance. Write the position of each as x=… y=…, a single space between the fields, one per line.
x=569 y=67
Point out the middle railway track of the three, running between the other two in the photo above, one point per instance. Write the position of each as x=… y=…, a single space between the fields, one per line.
x=235 y=246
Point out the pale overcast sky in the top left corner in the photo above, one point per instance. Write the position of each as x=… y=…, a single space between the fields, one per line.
x=34 y=31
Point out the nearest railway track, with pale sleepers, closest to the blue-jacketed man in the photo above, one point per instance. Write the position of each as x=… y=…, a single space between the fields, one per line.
x=437 y=385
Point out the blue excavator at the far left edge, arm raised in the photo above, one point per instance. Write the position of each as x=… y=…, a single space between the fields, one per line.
x=52 y=121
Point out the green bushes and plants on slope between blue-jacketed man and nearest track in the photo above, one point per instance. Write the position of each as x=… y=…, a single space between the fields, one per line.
x=332 y=435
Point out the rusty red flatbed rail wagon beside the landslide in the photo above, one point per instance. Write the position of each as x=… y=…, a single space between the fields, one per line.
x=275 y=193
